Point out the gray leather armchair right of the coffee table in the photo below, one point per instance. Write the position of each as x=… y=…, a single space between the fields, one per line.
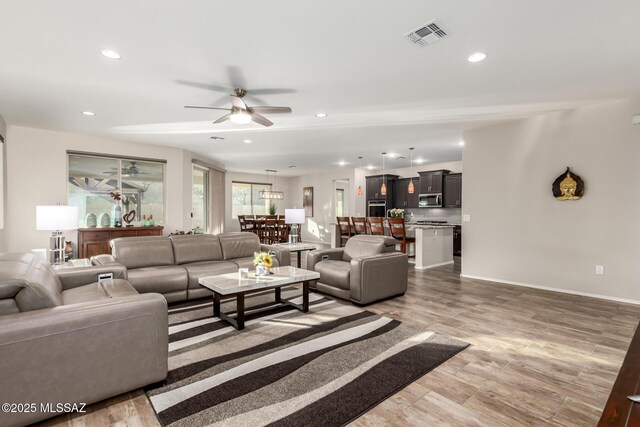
x=366 y=270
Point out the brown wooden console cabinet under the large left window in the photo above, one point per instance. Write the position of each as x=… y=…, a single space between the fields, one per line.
x=95 y=241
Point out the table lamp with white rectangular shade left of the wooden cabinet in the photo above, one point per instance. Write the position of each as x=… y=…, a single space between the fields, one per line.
x=56 y=219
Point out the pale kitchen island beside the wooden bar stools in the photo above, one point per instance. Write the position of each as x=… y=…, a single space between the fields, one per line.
x=434 y=244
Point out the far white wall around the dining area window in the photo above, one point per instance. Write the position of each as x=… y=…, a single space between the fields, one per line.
x=282 y=184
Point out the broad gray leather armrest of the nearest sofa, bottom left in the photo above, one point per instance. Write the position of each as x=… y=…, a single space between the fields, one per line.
x=60 y=354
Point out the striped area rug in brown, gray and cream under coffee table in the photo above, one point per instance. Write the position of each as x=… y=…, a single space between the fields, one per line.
x=321 y=368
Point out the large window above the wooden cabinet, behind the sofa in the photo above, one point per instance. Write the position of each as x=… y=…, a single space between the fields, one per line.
x=92 y=177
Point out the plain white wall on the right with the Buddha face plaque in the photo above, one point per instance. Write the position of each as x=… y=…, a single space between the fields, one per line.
x=520 y=233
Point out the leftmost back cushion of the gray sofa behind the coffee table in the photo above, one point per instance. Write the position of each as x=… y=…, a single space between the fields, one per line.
x=138 y=252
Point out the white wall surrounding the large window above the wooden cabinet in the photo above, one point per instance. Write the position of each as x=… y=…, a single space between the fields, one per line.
x=37 y=174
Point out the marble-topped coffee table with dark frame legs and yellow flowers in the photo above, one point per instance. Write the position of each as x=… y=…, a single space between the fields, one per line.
x=232 y=284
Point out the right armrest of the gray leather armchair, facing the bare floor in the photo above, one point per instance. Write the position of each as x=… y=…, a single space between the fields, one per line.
x=378 y=277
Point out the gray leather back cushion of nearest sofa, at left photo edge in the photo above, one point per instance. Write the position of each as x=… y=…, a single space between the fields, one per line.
x=27 y=283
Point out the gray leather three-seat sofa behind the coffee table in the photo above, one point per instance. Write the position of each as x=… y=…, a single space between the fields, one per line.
x=172 y=265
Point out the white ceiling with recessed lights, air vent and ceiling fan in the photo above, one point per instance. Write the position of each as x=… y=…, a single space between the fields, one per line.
x=345 y=58
